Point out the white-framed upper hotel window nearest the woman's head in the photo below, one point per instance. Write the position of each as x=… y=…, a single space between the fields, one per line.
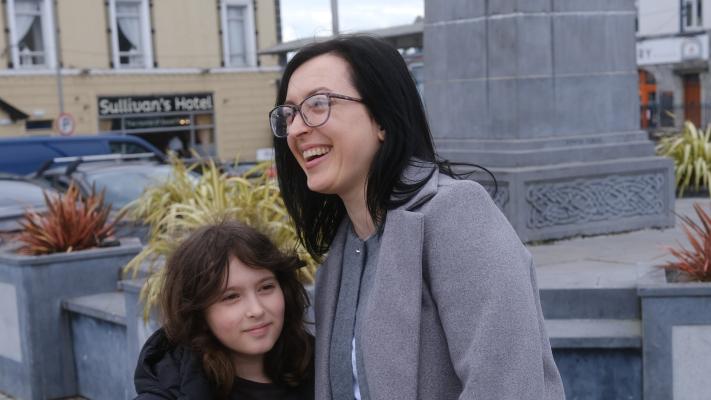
x=238 y=37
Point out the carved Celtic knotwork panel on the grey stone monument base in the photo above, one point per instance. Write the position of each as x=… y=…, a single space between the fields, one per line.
x=590 y=200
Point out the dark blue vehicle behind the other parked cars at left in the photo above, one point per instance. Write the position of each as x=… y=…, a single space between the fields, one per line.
x=24 y=155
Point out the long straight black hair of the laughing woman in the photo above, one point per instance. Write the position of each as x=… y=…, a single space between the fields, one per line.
x=380 y=75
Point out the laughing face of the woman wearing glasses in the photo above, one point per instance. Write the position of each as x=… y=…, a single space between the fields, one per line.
x=337 y=155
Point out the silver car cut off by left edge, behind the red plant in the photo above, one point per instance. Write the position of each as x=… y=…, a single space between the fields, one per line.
x=17 y=194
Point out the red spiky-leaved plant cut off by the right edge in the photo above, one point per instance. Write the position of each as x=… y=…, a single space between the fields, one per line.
x=694 y=262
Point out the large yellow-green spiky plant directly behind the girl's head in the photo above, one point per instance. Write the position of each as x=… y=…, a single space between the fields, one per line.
x=184 y=203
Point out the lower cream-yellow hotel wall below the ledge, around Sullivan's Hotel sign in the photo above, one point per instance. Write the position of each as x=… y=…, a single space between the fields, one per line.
x=242 y=101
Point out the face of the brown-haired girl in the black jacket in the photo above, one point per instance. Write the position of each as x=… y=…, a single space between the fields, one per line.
x=249 y=314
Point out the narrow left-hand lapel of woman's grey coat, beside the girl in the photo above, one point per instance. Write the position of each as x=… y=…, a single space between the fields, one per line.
x=328 y=281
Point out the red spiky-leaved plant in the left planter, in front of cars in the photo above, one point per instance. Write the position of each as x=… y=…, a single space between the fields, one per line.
x=71 y=223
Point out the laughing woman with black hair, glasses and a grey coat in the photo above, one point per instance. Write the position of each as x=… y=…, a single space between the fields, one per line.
x=426 y=292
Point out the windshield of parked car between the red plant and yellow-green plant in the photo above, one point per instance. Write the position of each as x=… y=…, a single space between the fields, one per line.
x=125 y=185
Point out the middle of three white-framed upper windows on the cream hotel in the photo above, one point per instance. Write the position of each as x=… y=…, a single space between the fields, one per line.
x=130 y=34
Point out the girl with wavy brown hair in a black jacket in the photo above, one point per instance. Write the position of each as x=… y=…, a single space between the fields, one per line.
x=233 y=322
